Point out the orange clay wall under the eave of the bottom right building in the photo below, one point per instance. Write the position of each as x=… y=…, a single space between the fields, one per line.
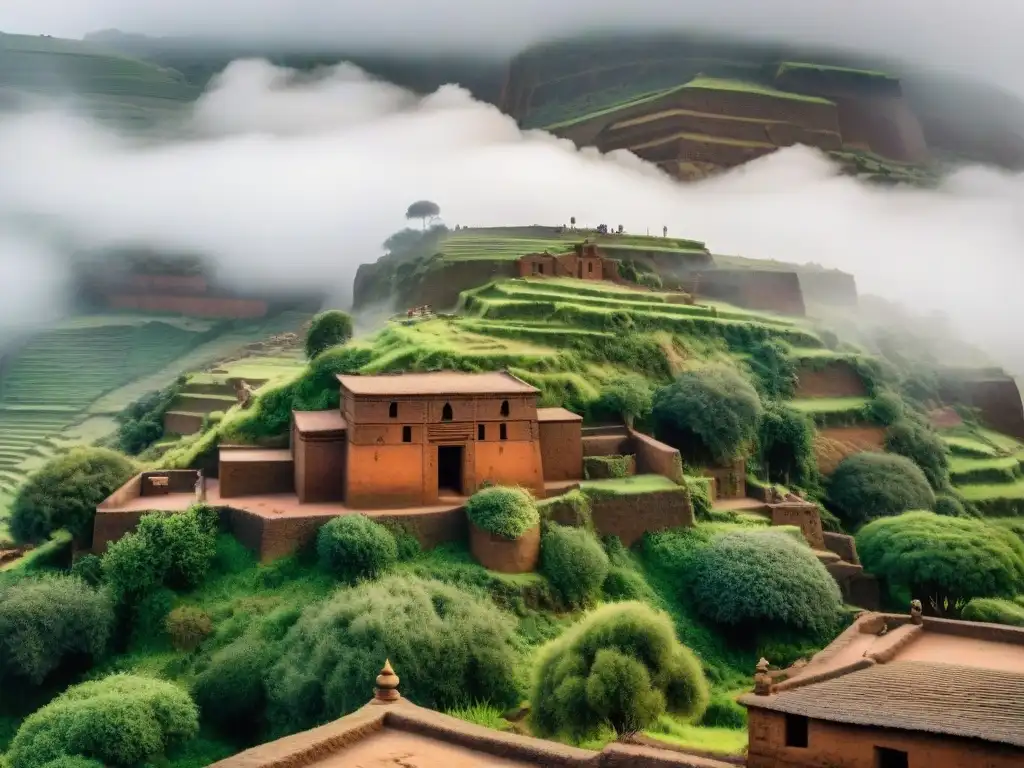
x=855 y=747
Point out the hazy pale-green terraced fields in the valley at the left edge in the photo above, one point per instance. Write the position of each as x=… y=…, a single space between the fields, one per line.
x=65 y=387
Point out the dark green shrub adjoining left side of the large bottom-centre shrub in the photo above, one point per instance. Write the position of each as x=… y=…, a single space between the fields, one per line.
x=230 y=692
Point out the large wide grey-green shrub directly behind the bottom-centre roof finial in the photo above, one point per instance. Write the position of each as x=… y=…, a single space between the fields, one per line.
x=451 y=648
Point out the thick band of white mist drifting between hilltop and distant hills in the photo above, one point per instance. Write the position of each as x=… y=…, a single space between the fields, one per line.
x=284 y=181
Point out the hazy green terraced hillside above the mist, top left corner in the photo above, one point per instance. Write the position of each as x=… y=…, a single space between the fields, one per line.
x=109 y=86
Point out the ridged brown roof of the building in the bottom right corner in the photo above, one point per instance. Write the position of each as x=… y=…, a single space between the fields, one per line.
x=945 y=677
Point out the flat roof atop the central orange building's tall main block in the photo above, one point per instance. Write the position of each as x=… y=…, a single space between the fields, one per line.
x=438 y=383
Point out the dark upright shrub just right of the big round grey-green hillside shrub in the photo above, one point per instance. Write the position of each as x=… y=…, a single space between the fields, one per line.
x=786 y=447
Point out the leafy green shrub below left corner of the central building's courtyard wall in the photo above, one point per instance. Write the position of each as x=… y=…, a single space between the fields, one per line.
x=170 y=550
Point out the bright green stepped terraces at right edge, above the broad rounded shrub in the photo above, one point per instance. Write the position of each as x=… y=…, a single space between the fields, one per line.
x=988 y=468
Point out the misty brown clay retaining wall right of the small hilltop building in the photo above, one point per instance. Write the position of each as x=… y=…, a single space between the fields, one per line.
x=766 y=290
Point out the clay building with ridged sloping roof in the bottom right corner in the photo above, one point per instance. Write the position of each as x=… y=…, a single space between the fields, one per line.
x=897 y=693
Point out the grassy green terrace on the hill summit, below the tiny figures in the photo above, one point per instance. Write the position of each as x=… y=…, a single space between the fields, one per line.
x=511 y=243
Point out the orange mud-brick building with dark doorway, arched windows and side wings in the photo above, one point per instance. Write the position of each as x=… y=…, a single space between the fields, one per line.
x=415 y=440
